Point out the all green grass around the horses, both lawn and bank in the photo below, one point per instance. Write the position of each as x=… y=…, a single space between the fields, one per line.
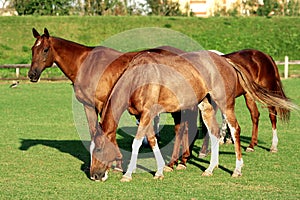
x=42 y=156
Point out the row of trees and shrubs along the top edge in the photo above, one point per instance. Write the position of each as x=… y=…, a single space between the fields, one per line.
x=145 y=7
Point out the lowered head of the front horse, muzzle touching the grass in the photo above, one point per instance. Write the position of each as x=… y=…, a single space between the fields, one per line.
x=103 y=153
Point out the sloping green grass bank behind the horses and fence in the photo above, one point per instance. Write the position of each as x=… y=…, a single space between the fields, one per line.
x=277 y=36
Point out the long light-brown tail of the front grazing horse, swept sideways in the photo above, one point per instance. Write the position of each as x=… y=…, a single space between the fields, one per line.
x=268 y=98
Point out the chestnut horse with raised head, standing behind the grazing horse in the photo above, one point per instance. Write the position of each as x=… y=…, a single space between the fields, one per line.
x=93 y=72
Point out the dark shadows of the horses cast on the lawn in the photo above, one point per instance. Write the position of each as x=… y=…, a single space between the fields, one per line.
x=78 y=148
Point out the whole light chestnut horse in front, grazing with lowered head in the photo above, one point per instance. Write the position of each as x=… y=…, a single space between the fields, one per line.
x=171 y=83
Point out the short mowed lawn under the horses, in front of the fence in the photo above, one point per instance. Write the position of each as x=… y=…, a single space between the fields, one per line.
x=42 y=156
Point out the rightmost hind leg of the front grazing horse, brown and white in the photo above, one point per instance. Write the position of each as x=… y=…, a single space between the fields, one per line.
x=235 y=134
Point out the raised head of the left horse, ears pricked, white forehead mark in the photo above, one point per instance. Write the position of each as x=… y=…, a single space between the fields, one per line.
x=42 y=56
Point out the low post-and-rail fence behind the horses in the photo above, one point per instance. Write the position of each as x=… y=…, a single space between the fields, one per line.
x=286 y=64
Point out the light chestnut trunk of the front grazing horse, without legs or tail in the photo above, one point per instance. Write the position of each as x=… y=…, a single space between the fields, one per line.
x=174 y=82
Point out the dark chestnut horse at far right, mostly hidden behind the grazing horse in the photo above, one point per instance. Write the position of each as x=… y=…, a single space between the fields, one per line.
x=264 y=72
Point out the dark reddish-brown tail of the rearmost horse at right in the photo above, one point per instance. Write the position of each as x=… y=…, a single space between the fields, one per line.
x=284 y=113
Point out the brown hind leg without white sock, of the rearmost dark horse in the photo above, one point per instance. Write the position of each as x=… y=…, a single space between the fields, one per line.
x=252 y=107
